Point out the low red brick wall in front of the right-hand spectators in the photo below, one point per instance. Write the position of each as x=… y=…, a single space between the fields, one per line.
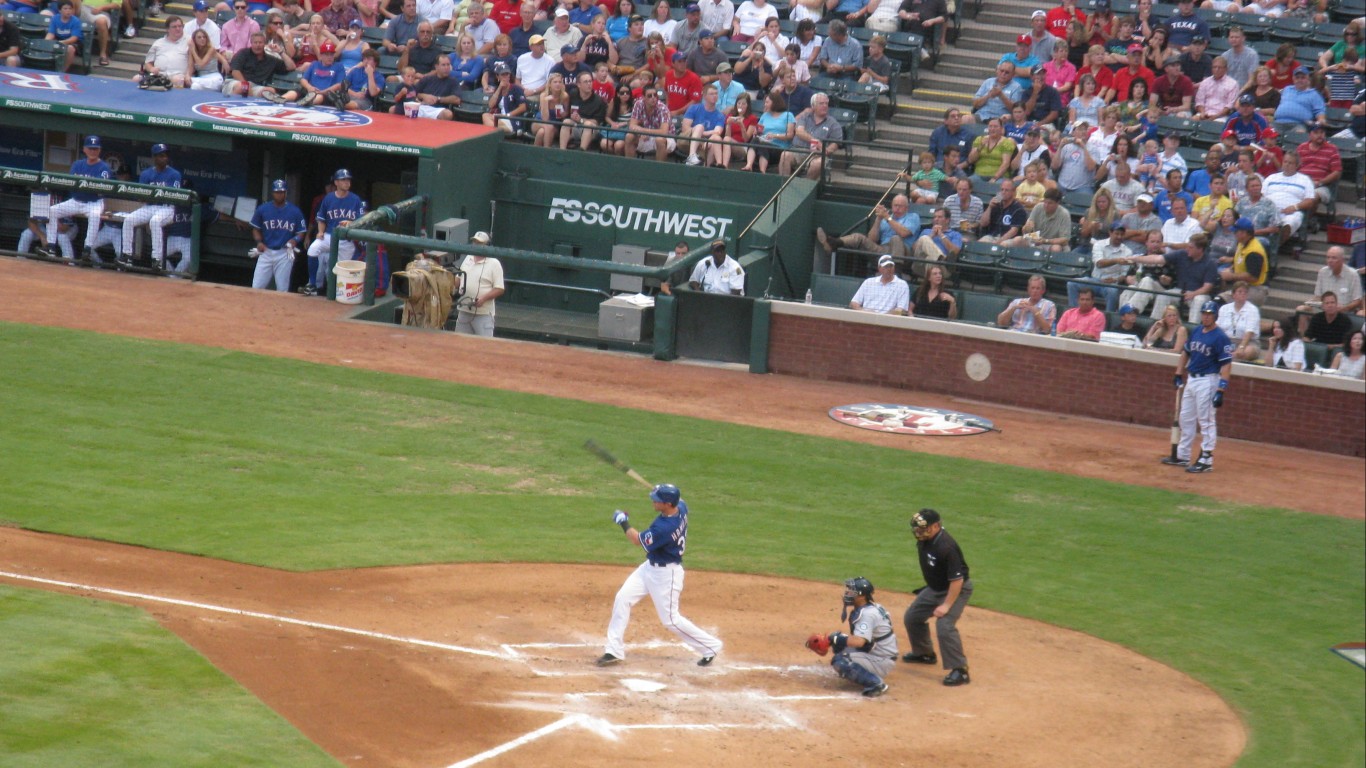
x=1059 y=375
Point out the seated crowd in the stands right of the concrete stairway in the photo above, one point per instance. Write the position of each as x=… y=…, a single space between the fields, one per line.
x=1100 y=111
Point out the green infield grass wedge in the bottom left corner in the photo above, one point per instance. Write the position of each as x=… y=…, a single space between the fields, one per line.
x=85 y=683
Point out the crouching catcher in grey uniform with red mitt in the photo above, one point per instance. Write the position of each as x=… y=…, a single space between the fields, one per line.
x=868 y=653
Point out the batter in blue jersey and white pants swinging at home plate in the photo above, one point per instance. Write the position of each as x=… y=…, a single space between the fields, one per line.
x=660 y=577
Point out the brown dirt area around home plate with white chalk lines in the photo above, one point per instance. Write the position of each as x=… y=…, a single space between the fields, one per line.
x=494 y=666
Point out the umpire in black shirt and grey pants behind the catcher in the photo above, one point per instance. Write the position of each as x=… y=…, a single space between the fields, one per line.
x=945 y=598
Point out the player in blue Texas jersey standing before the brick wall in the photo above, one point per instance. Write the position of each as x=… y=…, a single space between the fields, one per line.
x=1205 y=366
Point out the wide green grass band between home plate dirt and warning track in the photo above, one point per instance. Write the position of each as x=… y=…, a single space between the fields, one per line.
x=304 y=467
